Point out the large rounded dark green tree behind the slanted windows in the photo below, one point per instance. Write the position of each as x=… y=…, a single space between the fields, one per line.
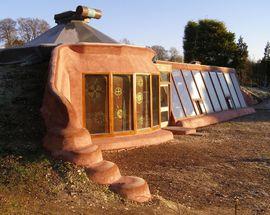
x=209 y=42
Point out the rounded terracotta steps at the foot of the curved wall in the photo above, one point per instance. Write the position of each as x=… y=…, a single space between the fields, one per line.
x=107 y=173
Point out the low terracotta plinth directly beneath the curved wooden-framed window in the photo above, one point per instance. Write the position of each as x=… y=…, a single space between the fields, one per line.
x=133 y=141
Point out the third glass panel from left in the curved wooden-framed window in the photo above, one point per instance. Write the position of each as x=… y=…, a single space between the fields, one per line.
x=143 y=101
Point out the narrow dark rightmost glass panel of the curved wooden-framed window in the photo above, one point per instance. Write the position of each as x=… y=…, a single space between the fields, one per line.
x=155 y=95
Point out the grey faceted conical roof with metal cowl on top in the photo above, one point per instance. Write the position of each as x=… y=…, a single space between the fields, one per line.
x=72 y=28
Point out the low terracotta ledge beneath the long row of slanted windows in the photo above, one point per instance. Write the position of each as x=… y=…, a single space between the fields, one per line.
x=209 y=119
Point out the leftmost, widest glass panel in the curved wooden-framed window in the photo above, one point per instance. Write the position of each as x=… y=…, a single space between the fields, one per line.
x=96 y=101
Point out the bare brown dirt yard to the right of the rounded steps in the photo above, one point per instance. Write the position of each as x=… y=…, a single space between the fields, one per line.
x=222 y=167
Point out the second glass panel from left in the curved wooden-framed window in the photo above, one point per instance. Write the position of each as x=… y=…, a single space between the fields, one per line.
x=122 y=102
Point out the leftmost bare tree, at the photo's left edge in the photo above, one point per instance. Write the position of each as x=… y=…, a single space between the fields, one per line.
x=8 y=31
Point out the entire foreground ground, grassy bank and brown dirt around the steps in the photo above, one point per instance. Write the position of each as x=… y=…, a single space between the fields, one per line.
x=222 y=167
